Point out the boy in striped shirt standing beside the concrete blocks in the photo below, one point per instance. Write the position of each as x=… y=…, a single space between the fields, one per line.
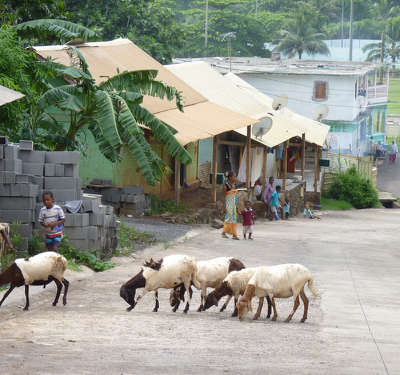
x=52 y=218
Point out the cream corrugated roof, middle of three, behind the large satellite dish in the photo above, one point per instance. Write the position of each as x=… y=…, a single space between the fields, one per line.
x=222 y=91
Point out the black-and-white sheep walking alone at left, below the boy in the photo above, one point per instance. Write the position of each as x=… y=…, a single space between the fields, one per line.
x=40 y=269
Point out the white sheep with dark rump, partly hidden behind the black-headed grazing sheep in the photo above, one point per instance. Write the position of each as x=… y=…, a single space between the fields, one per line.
x=210 y=273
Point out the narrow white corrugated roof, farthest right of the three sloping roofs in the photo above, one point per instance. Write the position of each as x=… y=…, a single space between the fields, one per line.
x=316 y=132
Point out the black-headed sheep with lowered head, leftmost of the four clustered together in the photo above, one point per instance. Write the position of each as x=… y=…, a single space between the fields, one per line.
x=167 y=273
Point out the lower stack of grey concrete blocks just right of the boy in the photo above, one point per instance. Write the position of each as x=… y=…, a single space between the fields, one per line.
x=96 y=227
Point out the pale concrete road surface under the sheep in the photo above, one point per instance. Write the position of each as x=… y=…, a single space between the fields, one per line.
x=352 y=327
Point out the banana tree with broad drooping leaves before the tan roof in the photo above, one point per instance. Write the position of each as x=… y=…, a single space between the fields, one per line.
x=112 y=112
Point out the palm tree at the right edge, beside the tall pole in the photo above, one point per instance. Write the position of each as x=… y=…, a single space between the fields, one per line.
x=391 y=46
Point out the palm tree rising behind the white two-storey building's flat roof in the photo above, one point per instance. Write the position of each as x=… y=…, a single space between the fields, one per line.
x=301 y=37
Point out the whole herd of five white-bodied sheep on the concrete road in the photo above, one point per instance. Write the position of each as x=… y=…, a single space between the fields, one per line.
x=179 y=272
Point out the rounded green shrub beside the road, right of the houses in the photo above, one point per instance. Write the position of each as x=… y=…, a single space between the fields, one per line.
x=351 y=186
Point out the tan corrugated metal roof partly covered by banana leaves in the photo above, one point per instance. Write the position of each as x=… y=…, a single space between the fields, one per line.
x=201 y=119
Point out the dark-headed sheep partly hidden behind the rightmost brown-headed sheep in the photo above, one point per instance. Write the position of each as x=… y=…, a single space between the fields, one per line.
x=233 y=285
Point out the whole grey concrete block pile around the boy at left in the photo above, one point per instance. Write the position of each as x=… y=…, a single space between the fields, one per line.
x=25 y=174
